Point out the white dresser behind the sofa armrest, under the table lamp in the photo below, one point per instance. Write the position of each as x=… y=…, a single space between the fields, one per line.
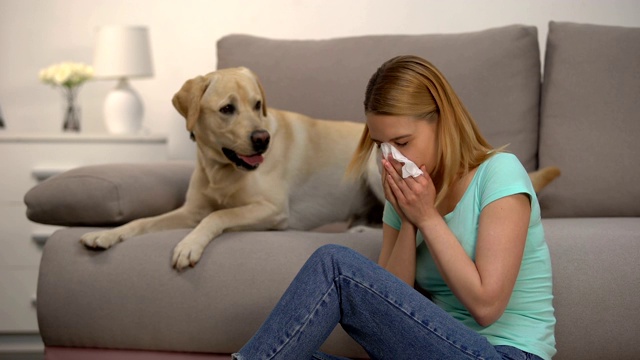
x=27 y=159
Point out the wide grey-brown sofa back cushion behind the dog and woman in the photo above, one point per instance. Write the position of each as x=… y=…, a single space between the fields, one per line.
x=495 y=72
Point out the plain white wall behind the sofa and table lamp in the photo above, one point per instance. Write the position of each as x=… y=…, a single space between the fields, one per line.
x=37 y=33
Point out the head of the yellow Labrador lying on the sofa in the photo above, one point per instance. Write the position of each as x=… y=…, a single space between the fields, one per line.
x=226 y=115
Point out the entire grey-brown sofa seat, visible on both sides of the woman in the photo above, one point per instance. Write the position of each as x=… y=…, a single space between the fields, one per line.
x=217 y=306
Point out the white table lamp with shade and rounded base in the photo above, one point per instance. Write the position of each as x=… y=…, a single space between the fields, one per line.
x=122 y=52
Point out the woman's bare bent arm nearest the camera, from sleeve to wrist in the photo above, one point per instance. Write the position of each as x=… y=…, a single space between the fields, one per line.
x=484 y=287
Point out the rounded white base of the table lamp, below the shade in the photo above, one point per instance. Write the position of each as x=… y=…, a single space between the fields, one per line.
x=123 y=109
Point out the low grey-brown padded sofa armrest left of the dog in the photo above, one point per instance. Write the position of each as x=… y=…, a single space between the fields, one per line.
x=110 y=194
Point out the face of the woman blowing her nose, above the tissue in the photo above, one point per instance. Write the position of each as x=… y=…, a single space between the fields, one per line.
x=414 y=138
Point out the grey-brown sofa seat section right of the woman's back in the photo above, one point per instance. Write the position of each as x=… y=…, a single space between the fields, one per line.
x=596 y=286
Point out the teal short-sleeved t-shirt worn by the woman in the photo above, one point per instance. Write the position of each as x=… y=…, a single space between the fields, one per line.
x=528 y=321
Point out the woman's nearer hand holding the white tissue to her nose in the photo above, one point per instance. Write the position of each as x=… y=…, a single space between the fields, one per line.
x=414 y=195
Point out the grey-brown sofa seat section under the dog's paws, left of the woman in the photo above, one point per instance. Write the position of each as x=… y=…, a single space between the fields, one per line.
x=129 y=297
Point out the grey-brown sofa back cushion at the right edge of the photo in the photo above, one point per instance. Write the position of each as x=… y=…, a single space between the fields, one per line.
x=589 y=120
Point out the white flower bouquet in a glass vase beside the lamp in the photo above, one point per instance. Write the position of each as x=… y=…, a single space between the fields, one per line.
x=68 y=77
